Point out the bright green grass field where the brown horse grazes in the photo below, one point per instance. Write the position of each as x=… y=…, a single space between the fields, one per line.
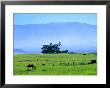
x=55 y=64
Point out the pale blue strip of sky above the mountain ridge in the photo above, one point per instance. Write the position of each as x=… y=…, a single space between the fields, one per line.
x=39 y=18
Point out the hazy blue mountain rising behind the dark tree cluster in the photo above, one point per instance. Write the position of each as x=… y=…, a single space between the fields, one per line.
x=35 y=35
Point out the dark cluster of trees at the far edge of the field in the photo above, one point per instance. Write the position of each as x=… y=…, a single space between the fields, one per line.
x=53 y=48
